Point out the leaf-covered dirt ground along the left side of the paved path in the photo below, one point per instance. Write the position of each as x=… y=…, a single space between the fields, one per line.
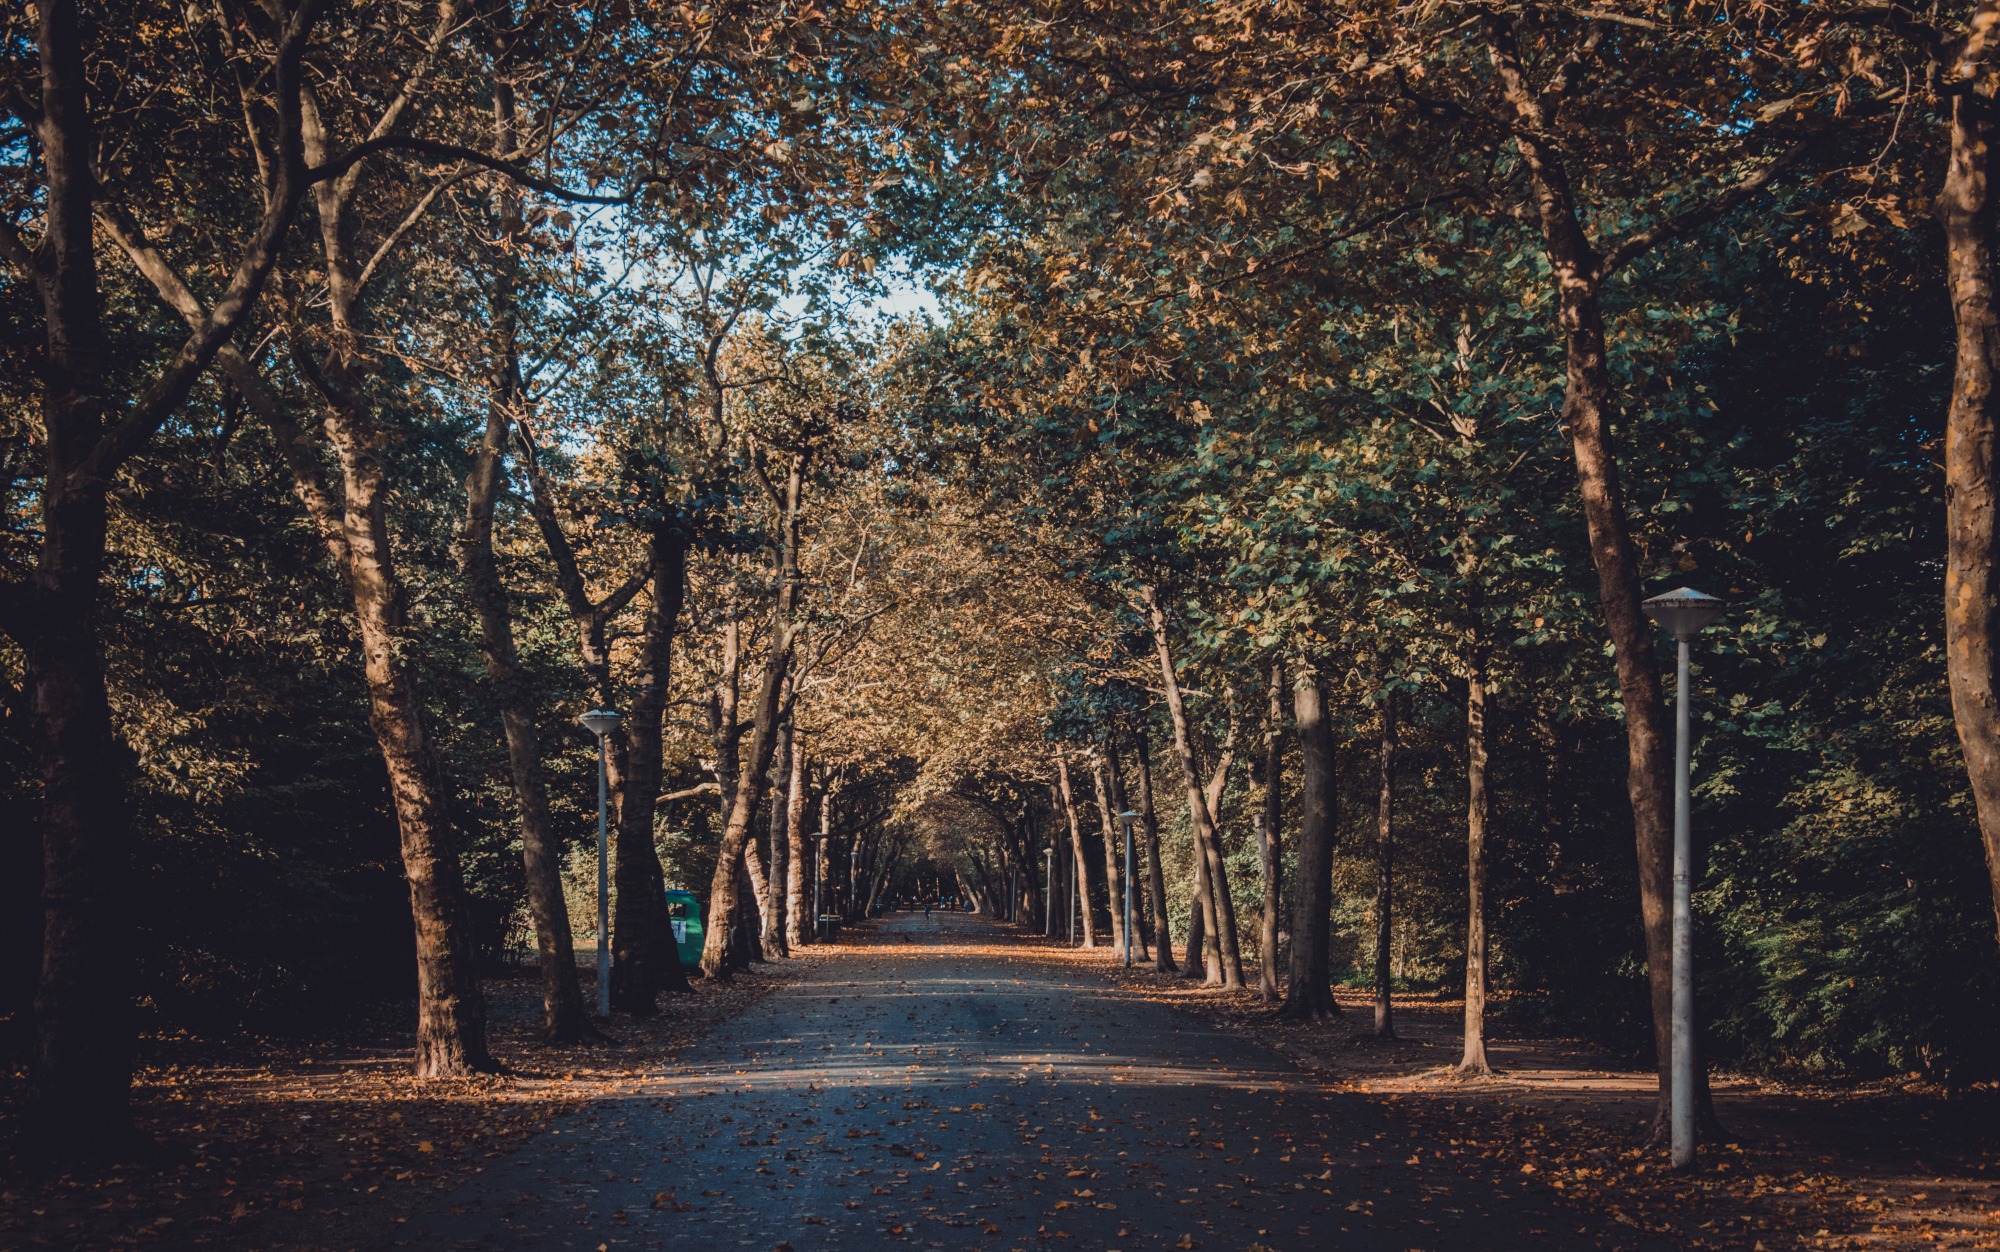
x=257 y=1137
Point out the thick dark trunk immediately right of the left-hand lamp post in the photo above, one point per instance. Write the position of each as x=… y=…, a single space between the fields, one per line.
x=645 y=957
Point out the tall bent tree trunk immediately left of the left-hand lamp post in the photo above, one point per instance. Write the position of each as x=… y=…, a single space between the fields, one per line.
x=565 y=1015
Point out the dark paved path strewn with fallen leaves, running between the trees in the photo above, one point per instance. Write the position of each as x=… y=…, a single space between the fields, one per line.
x=943 y=1087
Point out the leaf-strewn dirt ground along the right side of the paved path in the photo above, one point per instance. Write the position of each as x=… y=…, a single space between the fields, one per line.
x=1809 y=1167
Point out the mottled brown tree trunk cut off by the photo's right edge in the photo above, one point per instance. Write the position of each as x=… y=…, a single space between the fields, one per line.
x=1971 y=497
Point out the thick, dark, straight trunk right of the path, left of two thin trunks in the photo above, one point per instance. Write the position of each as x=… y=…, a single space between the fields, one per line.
x=1309 y=987
